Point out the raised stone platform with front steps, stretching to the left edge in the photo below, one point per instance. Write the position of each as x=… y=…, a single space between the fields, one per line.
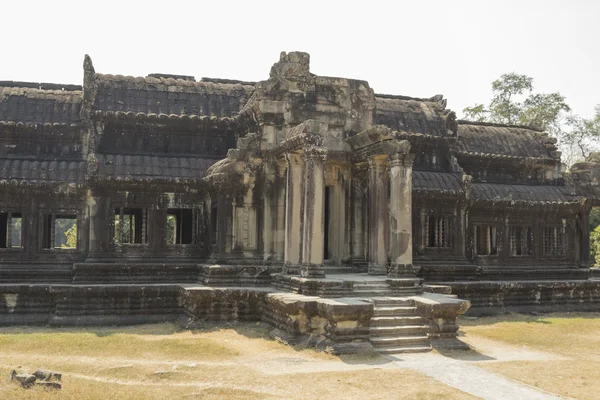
x=341 y=325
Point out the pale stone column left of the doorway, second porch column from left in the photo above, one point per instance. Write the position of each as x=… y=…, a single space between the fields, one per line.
x=314 y=203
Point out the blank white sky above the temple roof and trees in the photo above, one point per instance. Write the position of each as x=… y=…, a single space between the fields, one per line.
x=414 y=48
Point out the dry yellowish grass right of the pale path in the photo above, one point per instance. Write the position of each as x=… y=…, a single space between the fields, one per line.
x=575 y=337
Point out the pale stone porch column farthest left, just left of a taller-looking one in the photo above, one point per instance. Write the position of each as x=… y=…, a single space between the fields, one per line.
x=293 y=218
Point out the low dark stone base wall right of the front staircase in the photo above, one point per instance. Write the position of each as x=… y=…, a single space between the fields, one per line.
x=494 y=297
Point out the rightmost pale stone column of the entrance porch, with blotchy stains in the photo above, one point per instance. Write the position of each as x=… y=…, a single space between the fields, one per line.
x=401 y=214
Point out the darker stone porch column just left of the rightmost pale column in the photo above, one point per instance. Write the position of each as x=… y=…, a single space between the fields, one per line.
x=378 y=215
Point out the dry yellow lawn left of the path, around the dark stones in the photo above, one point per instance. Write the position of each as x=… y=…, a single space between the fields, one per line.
x=164 y=362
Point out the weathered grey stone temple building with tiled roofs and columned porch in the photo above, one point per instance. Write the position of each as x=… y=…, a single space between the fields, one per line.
x=297 y=184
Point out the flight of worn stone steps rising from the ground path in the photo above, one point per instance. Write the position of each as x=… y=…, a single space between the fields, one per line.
x=397 y=328
